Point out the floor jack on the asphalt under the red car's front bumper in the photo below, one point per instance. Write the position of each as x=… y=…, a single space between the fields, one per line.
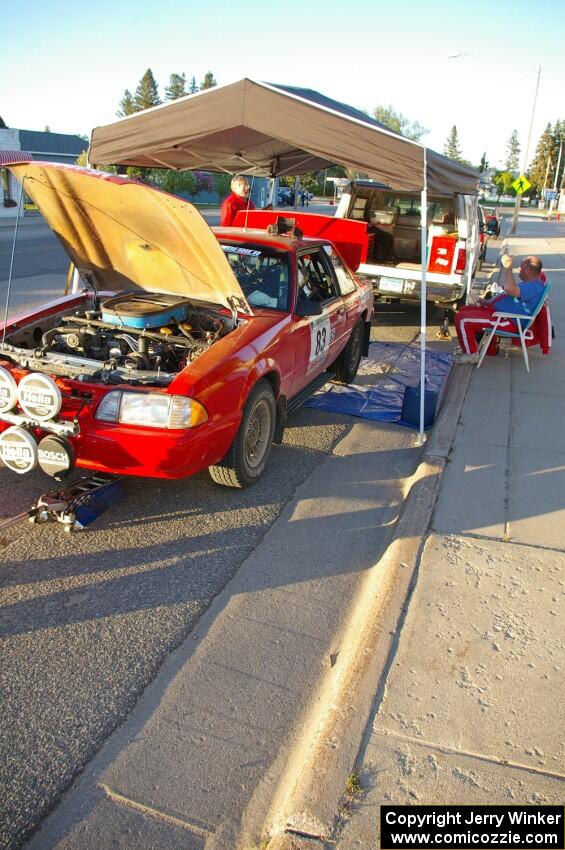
x=75 y=506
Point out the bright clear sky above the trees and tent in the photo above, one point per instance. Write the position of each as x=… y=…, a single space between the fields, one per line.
x=67 y=66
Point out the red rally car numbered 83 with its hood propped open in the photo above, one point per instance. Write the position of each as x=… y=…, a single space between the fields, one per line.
x=182 y=348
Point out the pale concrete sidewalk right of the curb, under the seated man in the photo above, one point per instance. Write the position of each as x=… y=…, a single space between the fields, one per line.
x=471 y=710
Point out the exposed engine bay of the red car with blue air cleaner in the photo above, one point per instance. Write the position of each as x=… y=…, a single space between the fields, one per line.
x=135 y=337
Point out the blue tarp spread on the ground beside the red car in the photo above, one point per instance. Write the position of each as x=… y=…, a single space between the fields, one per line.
x=378 y=391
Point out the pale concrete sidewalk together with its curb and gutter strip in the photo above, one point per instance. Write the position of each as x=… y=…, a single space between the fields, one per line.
x=461 y=685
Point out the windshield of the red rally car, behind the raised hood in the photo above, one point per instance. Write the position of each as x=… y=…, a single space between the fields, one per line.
x=262 y=273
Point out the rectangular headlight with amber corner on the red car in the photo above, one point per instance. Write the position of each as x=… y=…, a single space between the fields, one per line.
x=153 y=410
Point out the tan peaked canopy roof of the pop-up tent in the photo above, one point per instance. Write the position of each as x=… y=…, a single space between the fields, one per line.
x=258 y=128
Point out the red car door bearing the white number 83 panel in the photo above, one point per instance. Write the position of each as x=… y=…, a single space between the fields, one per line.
x=318 y=338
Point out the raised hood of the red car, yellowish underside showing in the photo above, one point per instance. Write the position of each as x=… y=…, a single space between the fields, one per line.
x=131 y=236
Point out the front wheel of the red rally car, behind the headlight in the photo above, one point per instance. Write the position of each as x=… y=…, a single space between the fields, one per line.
x=247 y=457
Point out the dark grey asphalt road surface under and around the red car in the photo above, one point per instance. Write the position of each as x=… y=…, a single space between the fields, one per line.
x=87 y=619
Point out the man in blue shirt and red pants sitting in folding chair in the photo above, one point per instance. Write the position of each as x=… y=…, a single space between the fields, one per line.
x=518 y=299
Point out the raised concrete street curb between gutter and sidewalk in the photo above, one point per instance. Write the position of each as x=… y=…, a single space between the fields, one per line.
x=312 y=792
